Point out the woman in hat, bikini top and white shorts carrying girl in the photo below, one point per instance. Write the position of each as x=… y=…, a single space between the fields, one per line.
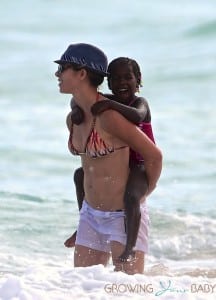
x=103 y=143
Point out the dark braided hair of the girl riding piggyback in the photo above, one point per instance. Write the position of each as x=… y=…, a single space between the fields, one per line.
x=128 y=61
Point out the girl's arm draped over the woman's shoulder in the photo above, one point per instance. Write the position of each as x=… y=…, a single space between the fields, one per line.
x=133 y=114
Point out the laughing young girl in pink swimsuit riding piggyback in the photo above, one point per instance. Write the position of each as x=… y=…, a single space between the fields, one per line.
x=124 y=80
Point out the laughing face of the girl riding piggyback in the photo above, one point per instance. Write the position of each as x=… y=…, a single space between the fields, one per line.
x=123 y=83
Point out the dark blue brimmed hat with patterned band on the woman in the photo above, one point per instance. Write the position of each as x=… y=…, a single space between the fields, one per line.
x=85 y=55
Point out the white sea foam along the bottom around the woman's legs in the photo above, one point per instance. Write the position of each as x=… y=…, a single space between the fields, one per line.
x=98 y=282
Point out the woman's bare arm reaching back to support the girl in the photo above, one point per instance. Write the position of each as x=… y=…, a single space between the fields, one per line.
x=116 y=125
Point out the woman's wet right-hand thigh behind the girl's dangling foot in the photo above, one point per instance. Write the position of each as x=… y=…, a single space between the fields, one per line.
x=130 y=267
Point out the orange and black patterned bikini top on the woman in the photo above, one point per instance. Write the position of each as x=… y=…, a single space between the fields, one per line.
x=95 y=146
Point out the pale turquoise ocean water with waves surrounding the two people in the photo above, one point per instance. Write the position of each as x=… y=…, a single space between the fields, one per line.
x=175 y=45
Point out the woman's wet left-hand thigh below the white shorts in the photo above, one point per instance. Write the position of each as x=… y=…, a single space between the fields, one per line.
x=84 y=257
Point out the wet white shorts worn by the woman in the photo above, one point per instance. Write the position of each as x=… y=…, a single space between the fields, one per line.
x=98 y=228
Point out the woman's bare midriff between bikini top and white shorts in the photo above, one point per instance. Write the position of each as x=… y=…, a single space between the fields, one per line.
x=105 y=180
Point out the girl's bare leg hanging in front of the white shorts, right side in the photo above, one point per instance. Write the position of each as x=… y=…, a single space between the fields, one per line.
x=135 y=190
